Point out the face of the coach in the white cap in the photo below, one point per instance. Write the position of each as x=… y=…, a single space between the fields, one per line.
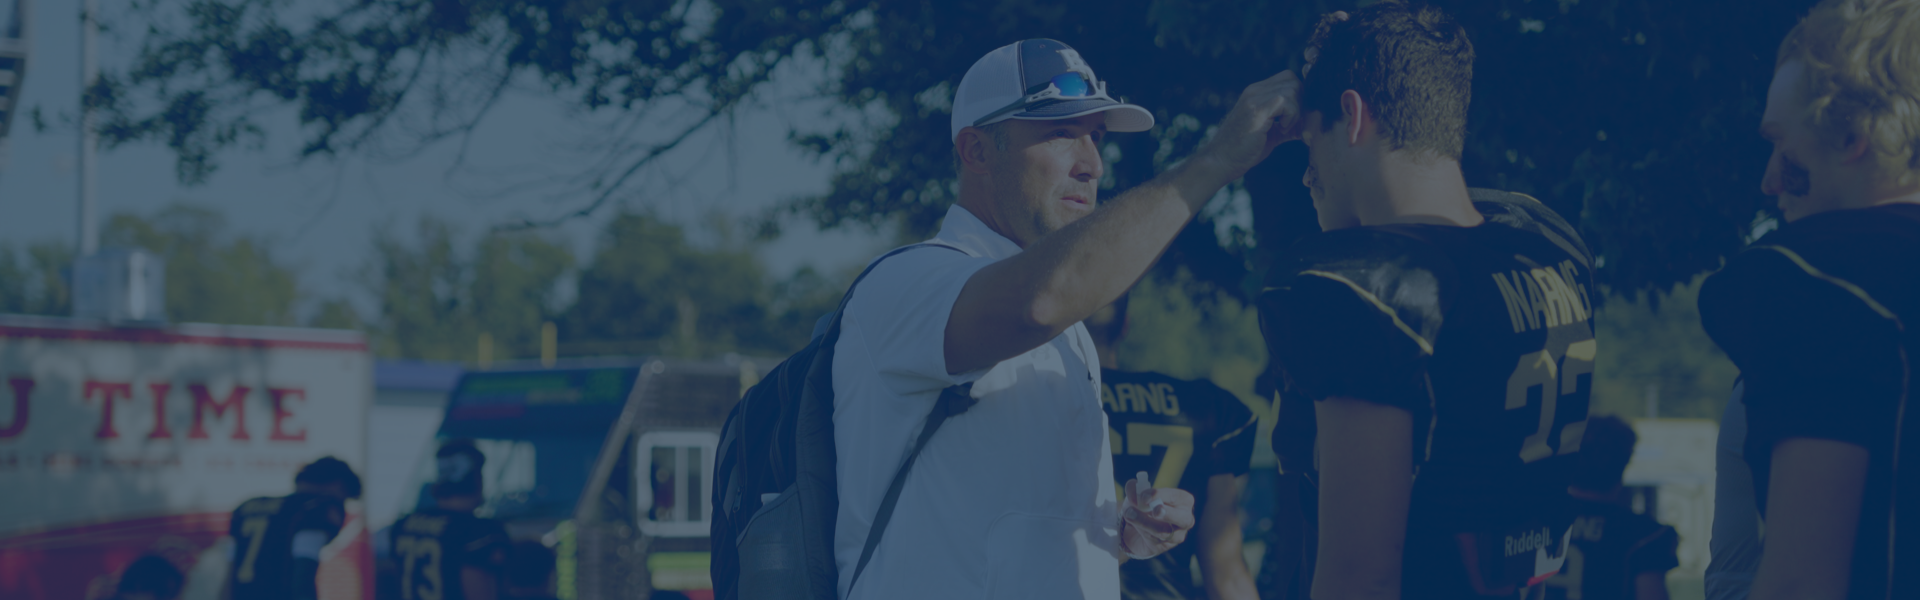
x=1047 y=176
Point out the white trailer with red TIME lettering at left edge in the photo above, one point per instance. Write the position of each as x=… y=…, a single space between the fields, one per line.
x=124 y=441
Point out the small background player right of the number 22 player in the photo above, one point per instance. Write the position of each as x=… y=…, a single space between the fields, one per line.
x=1616 y=553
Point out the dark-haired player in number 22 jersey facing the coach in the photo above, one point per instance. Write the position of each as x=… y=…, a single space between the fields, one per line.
x=1443 y=336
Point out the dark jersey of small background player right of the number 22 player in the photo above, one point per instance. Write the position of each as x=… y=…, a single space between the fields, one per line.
x=1612 y=547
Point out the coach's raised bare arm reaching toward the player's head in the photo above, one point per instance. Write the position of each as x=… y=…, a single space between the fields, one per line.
x=1065 y=278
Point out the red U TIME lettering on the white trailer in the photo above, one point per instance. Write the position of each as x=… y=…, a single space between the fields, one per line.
x=208 y=411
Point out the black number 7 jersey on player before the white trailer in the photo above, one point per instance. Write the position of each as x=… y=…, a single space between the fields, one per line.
x=264 y=543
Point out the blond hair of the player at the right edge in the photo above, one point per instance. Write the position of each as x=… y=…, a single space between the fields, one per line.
x=1863 y=76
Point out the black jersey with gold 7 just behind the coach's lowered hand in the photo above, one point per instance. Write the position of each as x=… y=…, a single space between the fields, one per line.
x=1182 y=434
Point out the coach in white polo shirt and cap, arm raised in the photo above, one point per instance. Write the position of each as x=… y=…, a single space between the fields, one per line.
x=1015 y=499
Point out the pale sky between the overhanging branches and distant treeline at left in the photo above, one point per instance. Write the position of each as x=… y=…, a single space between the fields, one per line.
x=322 y=214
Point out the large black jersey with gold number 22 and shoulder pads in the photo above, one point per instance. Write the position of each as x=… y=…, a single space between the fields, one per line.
x=1485 y=336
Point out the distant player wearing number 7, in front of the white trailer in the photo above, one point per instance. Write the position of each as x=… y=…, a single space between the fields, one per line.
x=277 y=541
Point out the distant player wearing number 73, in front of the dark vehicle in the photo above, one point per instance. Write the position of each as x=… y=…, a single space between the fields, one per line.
x=446 y=553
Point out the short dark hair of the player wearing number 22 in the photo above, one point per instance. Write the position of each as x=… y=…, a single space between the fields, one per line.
x=1412 y=64
